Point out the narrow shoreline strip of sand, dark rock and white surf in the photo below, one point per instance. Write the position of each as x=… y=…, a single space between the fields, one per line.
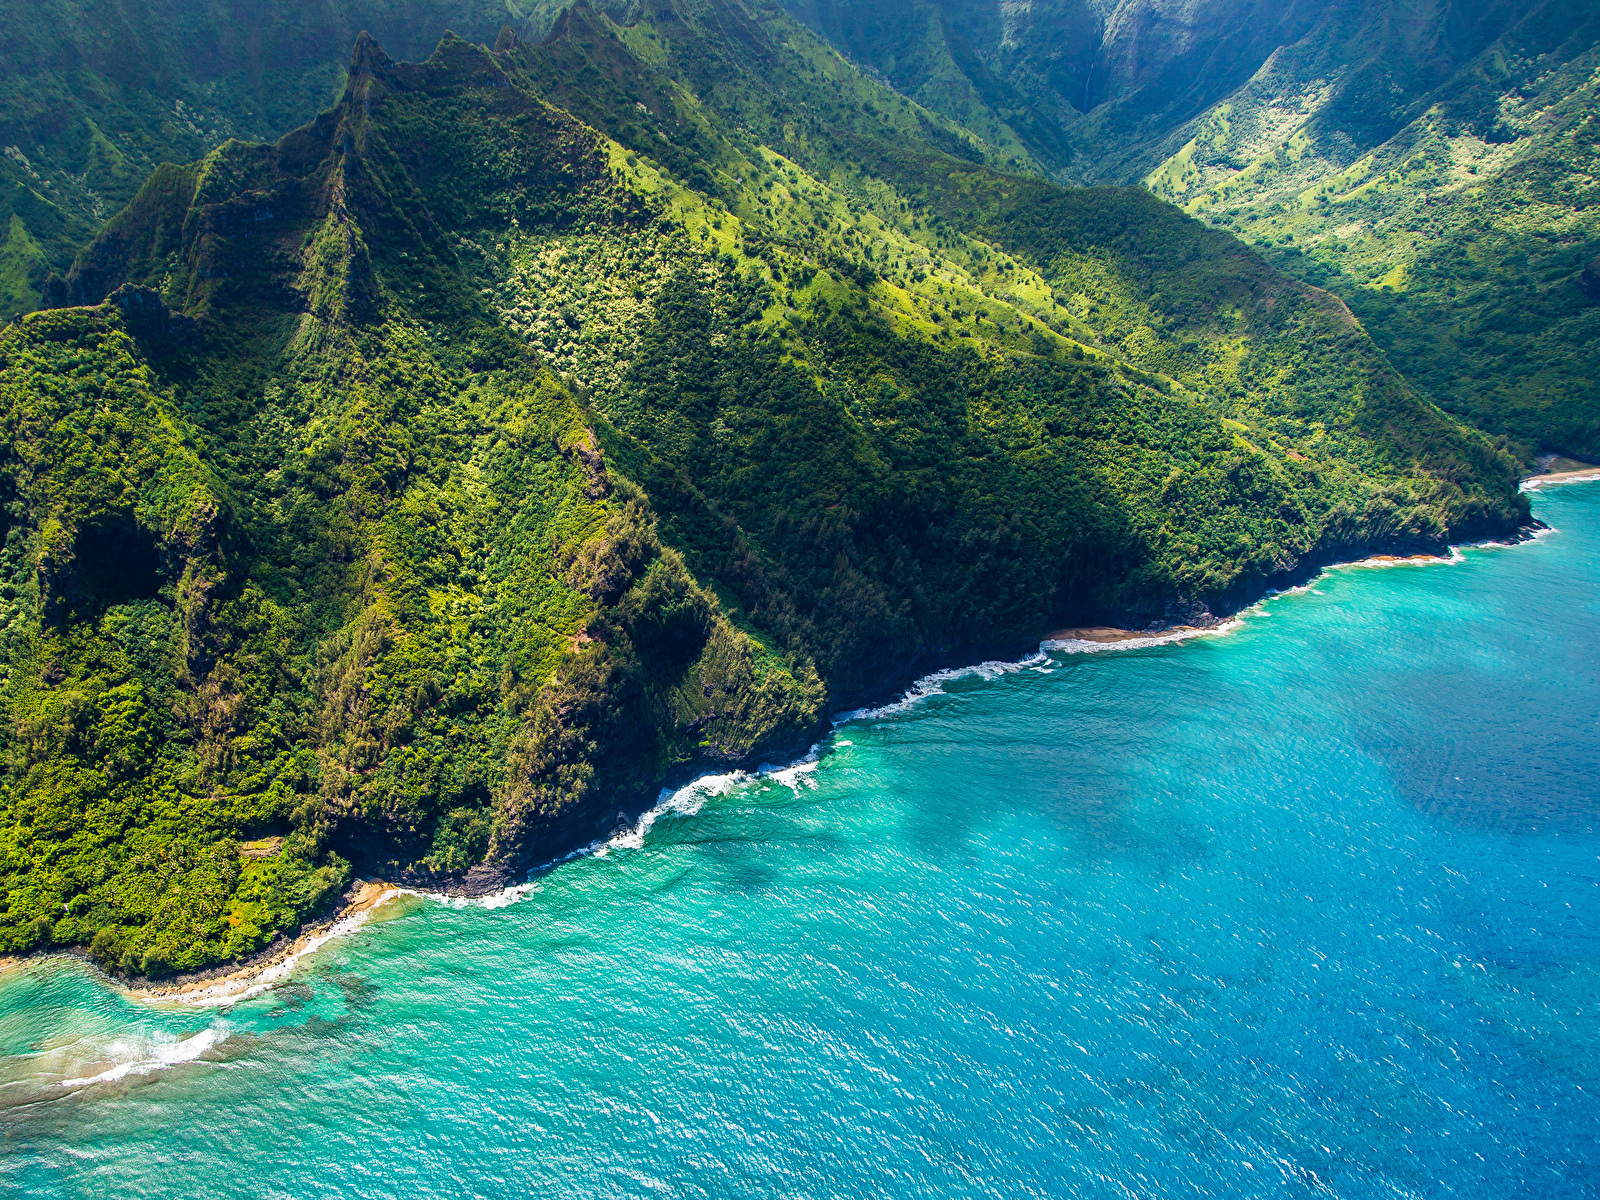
x=225 y=986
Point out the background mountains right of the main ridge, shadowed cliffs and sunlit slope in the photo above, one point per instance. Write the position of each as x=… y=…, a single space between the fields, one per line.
x=1431 y=164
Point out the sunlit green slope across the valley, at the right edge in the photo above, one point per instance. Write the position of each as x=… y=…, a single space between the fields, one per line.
x=1458 y=231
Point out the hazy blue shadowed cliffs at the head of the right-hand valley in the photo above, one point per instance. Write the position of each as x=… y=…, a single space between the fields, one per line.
x=1106 y=92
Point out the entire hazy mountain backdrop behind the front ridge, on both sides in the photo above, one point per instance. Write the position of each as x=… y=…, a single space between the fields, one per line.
x=1423 y=161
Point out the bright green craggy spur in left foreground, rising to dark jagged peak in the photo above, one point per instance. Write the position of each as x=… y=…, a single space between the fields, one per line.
x=346 y=574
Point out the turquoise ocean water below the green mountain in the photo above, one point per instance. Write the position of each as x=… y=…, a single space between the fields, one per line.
x=1311 y=908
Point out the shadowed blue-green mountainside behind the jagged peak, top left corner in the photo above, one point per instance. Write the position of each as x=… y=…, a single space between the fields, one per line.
x=97 y=95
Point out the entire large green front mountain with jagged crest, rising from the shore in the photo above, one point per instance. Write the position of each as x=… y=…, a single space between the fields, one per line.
x=417 y=494
